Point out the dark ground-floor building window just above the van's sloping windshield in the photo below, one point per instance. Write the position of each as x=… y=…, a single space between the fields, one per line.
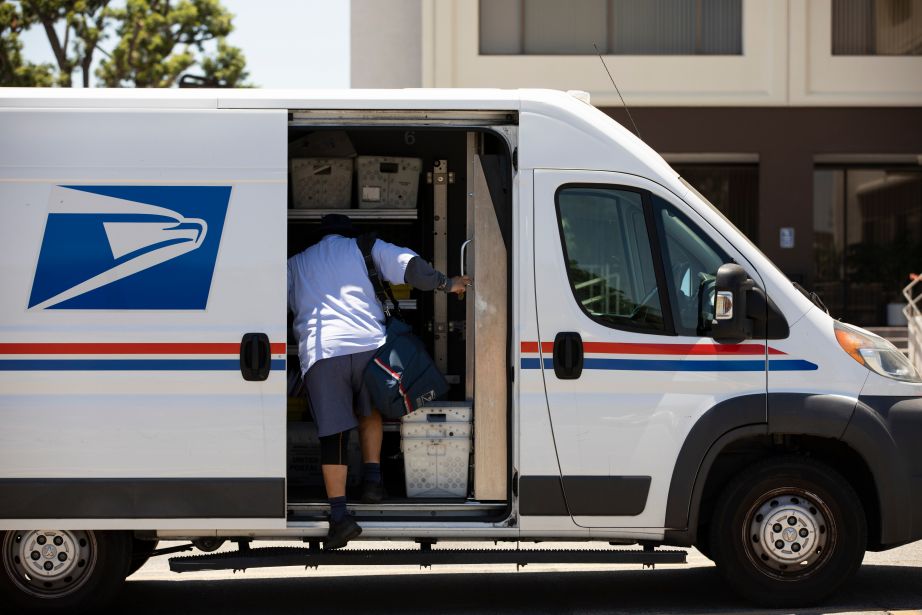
x=732 y=188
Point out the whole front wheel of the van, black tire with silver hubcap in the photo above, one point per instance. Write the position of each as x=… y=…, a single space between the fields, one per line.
x=788 y=532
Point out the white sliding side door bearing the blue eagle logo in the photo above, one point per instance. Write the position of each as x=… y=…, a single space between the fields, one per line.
x=142 y=353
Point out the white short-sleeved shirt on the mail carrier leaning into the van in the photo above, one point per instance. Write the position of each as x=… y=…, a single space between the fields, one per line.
x=336 y=312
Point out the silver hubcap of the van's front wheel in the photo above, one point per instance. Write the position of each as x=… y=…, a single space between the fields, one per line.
x=789 y=532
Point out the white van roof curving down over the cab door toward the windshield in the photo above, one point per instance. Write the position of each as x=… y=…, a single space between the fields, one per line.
x=556 y=130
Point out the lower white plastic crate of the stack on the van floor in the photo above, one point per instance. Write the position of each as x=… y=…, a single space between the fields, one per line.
x=436 y=467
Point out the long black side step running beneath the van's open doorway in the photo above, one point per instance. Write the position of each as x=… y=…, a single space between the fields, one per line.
x=267 y=557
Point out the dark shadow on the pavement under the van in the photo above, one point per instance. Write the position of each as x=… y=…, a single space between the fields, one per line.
x=700 y=590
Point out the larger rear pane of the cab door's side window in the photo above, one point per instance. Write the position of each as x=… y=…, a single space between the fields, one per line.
x=608 y=256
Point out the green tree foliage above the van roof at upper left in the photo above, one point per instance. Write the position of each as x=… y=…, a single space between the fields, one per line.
x=140 y=43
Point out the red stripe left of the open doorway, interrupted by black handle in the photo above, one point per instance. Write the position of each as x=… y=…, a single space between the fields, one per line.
x=132 y=348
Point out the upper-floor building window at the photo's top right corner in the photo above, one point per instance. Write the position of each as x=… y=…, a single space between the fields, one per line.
x=877 y=27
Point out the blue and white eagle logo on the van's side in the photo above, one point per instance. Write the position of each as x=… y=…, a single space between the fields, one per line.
x=129 y=247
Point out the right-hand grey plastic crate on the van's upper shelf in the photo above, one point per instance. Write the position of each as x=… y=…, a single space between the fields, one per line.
x=387 y=183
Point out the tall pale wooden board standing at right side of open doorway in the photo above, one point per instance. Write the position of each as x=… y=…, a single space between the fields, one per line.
x=487 y=315
